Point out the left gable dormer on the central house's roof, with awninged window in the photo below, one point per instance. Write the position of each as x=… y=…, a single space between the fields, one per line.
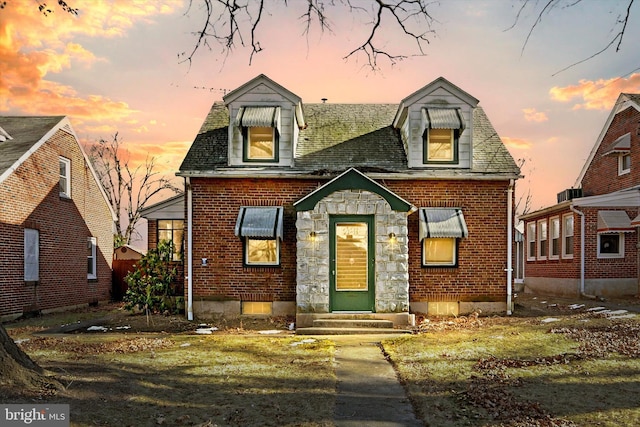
x=264 y=121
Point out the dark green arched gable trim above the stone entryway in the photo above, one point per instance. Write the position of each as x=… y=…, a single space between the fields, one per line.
x=352 y=180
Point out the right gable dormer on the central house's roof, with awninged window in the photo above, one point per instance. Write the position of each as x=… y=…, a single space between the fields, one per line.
x=436 y=126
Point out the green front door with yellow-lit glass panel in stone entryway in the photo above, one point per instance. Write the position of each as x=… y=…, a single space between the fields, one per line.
x=352 y=255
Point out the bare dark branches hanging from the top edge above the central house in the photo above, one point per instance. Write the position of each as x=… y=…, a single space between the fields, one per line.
x=230 y=23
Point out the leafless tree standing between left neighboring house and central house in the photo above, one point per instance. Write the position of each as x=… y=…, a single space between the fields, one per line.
x=128 y=188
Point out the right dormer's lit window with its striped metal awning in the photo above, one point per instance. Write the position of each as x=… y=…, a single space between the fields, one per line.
x=442 y=128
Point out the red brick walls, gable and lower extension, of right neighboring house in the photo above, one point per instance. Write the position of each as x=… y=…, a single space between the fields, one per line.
x=602 y=184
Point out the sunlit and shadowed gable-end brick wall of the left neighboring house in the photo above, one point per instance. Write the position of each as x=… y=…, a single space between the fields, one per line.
x=30 y=199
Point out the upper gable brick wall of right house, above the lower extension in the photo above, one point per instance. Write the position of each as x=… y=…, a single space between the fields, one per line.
x=602 y=176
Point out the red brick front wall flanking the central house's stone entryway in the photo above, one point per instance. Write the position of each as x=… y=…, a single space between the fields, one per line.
x=216 y=202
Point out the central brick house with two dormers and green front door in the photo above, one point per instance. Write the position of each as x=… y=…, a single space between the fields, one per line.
x=327 y=208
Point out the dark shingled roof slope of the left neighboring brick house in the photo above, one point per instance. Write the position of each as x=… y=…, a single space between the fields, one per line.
x=24 y=132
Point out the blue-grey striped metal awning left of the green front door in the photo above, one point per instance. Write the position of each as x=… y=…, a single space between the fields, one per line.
x=260 y=222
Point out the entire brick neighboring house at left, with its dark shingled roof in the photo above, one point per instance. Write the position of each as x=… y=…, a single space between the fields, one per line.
x=56 y=224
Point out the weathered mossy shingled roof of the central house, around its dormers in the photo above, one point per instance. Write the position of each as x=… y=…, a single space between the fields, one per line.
x=340 y=136
